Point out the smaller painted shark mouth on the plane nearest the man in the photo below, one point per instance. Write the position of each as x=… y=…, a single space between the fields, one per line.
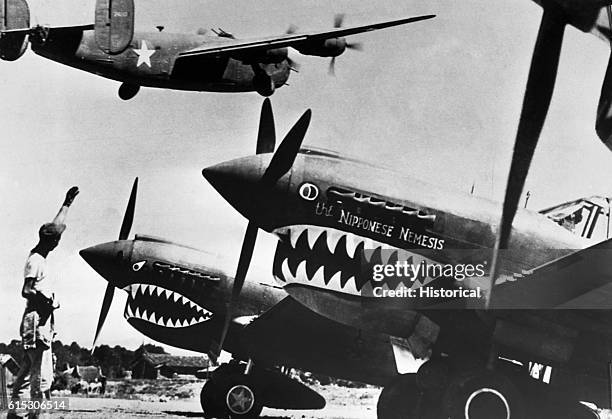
x=163 y=307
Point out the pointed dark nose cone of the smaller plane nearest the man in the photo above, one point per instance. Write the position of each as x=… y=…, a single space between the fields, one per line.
x=106 y=259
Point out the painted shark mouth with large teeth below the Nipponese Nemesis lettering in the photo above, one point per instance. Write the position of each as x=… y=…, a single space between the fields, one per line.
x=338 y=261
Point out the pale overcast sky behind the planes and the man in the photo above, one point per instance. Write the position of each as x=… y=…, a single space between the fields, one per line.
x=439 y=100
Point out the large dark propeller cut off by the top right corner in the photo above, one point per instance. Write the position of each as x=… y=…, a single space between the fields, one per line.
x=538 y=94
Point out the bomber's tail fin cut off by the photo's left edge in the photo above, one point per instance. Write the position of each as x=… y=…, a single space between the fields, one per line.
x=14 y=28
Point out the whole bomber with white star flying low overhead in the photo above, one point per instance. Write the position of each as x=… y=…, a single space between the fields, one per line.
x=216 y=63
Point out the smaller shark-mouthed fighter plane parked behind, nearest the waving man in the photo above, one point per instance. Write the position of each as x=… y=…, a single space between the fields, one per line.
x=179 y=296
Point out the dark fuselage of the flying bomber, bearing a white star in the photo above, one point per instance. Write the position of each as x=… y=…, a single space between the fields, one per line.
x=150 y=58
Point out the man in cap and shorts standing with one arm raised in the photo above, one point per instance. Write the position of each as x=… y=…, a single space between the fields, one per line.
x=36 y=325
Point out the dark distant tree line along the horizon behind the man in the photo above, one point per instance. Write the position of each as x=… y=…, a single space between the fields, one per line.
x=113 y=361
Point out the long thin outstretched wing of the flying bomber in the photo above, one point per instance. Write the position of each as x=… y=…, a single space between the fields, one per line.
x=239 y=47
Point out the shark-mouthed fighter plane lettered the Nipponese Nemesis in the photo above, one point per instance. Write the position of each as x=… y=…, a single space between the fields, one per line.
x=338 y=218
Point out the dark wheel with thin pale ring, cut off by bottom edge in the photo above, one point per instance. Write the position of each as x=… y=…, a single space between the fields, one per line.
x=483 y=395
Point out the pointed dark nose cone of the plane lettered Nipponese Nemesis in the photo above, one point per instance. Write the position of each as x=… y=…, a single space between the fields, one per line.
x=237 y=181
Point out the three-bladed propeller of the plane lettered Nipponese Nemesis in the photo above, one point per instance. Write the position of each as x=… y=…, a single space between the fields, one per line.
x=281 y=163
